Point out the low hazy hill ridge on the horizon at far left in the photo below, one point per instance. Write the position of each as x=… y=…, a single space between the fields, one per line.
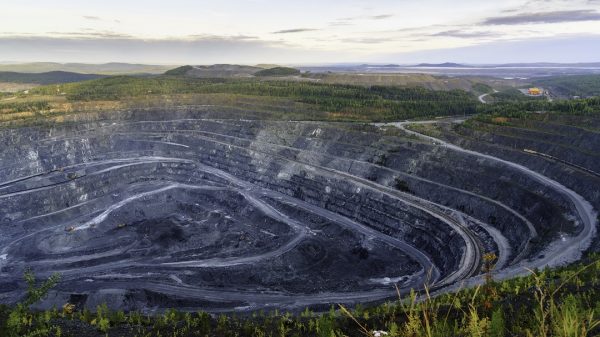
x=113 y=68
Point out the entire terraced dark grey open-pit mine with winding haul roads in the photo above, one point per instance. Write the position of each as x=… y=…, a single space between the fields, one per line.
x=179 y=208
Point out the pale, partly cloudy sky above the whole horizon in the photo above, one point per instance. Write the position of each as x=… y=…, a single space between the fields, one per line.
x=300 y=32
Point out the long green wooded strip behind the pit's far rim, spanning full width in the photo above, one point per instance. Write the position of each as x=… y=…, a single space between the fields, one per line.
x=300 y=100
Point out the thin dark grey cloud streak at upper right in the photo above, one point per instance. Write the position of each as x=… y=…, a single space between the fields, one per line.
x=544 y=17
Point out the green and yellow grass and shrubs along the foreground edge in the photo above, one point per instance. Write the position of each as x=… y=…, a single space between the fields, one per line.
x=558 y=302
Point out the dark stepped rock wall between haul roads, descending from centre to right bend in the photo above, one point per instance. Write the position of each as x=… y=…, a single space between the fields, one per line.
x=367 y=206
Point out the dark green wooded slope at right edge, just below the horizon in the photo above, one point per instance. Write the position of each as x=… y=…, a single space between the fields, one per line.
x=568 y=86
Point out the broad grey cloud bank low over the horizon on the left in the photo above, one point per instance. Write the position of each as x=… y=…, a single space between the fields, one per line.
x=190 y=50
